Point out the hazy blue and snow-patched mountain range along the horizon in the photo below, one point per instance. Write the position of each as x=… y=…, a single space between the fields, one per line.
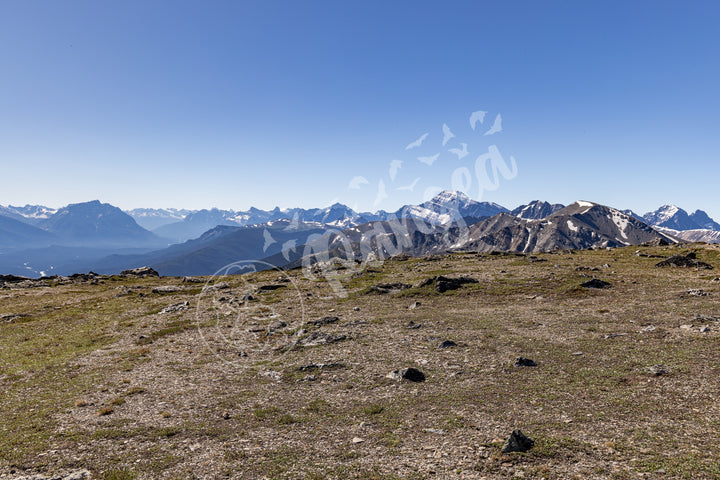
x=35 y=239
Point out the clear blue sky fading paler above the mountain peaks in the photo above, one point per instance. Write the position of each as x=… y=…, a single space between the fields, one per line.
x=262 y=103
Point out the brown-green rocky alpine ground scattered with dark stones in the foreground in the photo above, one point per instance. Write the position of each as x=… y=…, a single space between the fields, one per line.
x=410 y=368
